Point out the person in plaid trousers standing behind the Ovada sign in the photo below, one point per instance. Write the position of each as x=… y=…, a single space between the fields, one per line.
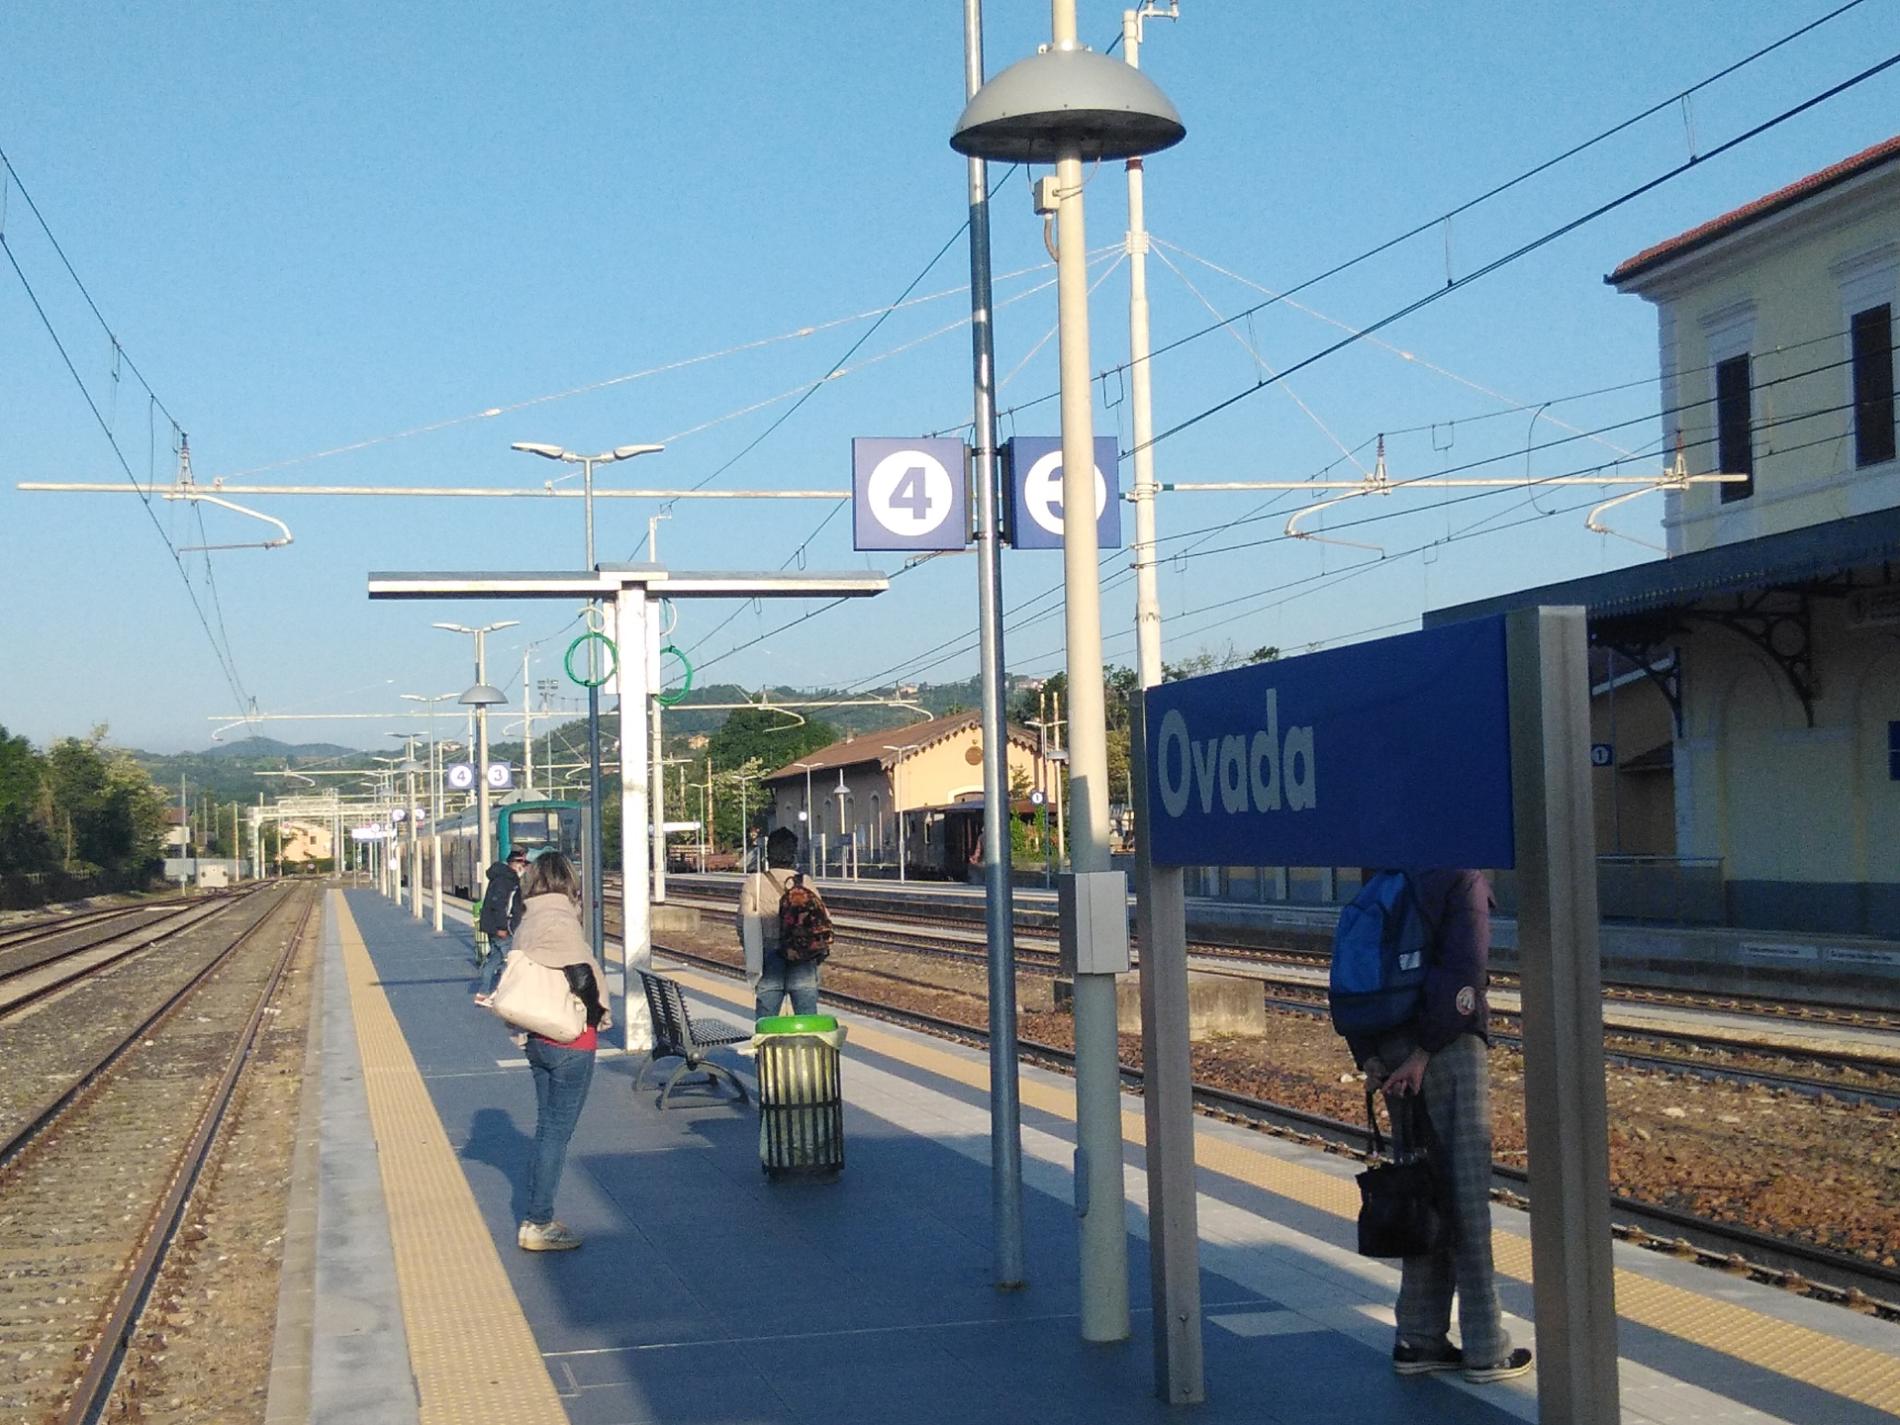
x=1441 y=1055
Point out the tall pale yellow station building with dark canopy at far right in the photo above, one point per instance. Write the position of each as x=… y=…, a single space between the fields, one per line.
x=1747 y=704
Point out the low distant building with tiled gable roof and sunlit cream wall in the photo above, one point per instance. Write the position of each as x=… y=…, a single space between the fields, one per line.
x=917 y=788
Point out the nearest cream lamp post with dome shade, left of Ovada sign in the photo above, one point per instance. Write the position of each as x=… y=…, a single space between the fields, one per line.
x=1069 y=105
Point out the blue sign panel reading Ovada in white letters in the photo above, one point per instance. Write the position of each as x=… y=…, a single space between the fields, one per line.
x=1394 y=753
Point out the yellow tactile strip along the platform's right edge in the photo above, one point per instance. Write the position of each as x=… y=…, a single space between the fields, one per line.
x=1844 y=1369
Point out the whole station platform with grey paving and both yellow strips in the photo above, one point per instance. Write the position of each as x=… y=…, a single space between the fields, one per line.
x=708 y=1295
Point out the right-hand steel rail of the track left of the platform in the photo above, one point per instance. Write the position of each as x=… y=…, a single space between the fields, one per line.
x=162 y=1226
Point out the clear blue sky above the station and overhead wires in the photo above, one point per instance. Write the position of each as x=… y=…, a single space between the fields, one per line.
x=316 y=229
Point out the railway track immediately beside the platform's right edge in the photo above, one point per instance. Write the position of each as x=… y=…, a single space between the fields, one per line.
x=1795 y=1266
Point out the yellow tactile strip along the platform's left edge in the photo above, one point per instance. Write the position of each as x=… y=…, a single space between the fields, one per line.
x=470 y=1346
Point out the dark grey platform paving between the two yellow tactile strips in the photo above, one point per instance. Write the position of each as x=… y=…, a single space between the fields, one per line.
x=708 y=1295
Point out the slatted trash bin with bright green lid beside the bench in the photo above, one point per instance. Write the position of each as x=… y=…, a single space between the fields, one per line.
x=801 y=1097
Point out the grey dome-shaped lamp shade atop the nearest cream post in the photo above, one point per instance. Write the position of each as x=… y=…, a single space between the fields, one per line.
x=1067 y=98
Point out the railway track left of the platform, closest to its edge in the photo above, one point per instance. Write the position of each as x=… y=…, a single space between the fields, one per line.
x=98 y=1175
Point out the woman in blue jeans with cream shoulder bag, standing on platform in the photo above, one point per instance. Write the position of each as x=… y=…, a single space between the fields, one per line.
x=552 y=936
